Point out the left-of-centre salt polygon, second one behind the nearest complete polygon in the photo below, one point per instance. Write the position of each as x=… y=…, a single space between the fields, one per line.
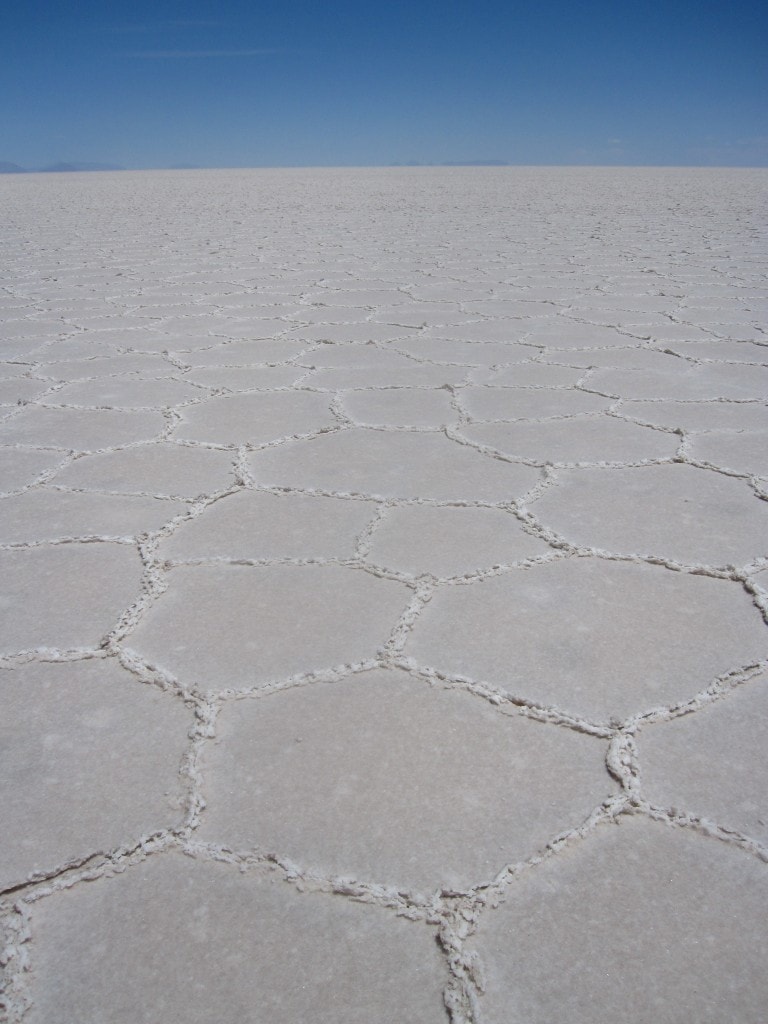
x=260 y=525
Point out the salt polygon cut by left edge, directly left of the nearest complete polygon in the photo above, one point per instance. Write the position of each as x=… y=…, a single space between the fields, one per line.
x=90 y=759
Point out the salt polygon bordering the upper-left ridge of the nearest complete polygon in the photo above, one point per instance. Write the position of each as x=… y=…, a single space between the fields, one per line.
x=236 y=626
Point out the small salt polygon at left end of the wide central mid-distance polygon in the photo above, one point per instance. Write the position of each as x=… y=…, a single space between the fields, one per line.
x=177 y=471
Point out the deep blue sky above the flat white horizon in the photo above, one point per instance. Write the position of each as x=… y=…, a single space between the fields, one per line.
x=239 y=83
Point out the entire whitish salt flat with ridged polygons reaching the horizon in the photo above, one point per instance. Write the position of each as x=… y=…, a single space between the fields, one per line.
x=385 y=590
